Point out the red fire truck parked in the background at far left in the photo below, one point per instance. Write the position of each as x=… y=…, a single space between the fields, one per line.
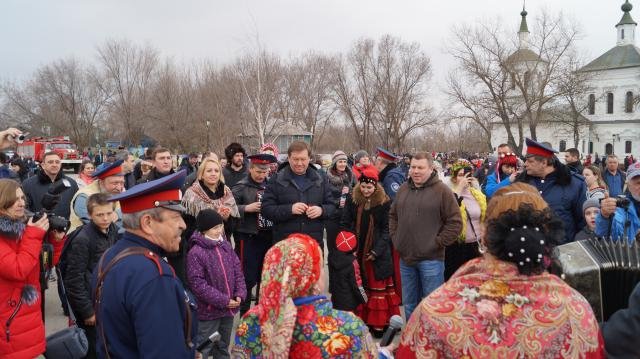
x=36 y=147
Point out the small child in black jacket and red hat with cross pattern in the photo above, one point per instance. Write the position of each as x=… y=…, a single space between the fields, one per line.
x=345 y=284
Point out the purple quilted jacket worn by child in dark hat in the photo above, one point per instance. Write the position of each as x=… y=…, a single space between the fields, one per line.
x=215 y=276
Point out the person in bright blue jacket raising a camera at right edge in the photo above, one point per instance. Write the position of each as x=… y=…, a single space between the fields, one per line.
x=618 y=216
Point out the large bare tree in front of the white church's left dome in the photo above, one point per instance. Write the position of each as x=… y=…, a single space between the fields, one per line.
x=516 y=82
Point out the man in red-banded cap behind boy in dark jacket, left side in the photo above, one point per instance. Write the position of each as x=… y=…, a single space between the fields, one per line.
x=110 y=179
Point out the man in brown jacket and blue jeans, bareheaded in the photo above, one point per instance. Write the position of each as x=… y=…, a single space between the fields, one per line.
x=423 y=220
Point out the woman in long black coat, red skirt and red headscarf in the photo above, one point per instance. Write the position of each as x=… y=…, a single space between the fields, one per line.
x=367 y=215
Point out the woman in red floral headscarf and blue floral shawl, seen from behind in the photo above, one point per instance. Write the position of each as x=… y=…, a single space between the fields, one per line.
x=292 y=319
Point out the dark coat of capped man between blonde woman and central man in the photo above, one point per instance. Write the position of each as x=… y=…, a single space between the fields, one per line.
x=246 y=192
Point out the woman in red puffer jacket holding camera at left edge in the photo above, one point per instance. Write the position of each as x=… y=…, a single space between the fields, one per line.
x=20 y=249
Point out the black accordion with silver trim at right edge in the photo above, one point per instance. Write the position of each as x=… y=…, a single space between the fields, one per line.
x=603 y=271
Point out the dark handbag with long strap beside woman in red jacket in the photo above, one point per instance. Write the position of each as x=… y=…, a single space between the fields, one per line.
x=68 y=343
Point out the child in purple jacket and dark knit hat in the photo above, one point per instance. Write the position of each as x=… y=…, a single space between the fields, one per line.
x=216 y=280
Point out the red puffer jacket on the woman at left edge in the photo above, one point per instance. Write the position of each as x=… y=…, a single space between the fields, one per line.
x=20 y=266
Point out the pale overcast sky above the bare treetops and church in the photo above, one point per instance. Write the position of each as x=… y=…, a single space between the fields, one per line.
x=34 y=33
